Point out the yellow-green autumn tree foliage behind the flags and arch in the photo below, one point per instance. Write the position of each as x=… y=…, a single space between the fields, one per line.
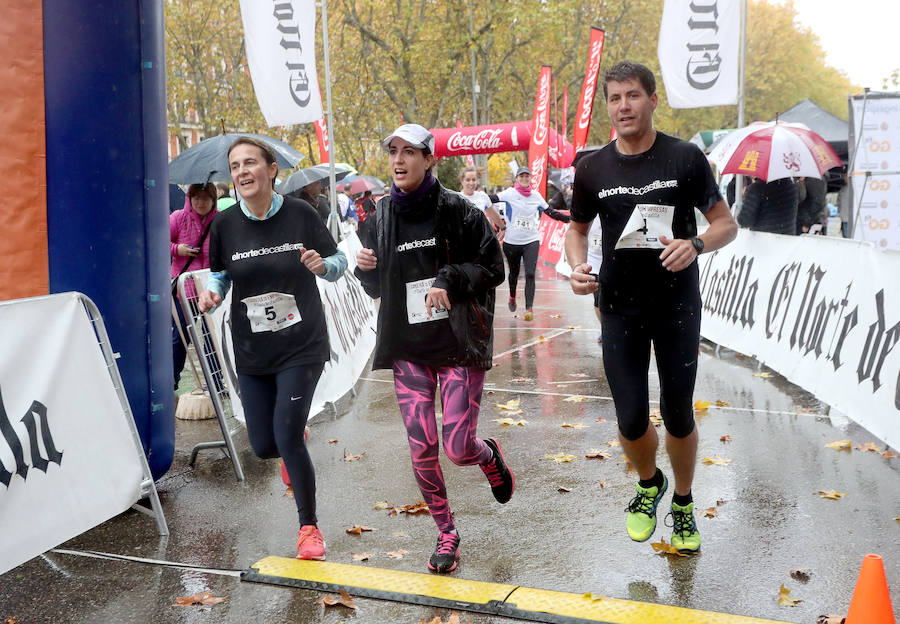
x=409 y=60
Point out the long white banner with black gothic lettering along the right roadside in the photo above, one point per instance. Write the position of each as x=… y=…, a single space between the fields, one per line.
x=823 y=312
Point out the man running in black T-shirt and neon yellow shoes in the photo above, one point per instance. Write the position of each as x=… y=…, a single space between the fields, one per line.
x=645 y=186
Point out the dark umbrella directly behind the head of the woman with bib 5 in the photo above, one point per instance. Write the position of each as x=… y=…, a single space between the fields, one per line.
x=208 y=160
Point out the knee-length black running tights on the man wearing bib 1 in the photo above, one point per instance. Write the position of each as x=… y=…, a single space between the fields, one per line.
x=675 y=335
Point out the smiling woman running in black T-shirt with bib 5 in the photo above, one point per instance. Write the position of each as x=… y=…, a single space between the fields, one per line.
x=272 y=249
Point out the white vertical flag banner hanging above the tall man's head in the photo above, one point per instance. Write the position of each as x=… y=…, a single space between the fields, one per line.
x=699 y=52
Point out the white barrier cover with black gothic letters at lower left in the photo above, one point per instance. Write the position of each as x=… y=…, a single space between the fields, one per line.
x=63 y=434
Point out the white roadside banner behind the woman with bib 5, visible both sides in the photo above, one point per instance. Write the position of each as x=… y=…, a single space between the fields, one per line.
x=350 y=315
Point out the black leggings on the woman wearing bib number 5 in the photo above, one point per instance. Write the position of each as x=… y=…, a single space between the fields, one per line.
x=276 y=407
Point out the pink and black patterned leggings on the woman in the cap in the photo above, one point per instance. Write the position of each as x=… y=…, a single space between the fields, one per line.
x=461 y=387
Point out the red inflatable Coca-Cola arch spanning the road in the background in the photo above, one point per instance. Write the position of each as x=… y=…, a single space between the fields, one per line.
x=508 y=137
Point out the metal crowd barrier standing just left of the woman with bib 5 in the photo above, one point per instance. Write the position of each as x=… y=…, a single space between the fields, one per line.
x=219 y=382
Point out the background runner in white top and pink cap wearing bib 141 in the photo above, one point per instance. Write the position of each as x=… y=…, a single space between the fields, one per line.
x=523 y=214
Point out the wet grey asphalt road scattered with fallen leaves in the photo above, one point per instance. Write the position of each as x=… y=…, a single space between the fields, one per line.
x=770 y=521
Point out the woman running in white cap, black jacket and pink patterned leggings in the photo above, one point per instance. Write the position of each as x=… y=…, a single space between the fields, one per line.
x=434 y=260
